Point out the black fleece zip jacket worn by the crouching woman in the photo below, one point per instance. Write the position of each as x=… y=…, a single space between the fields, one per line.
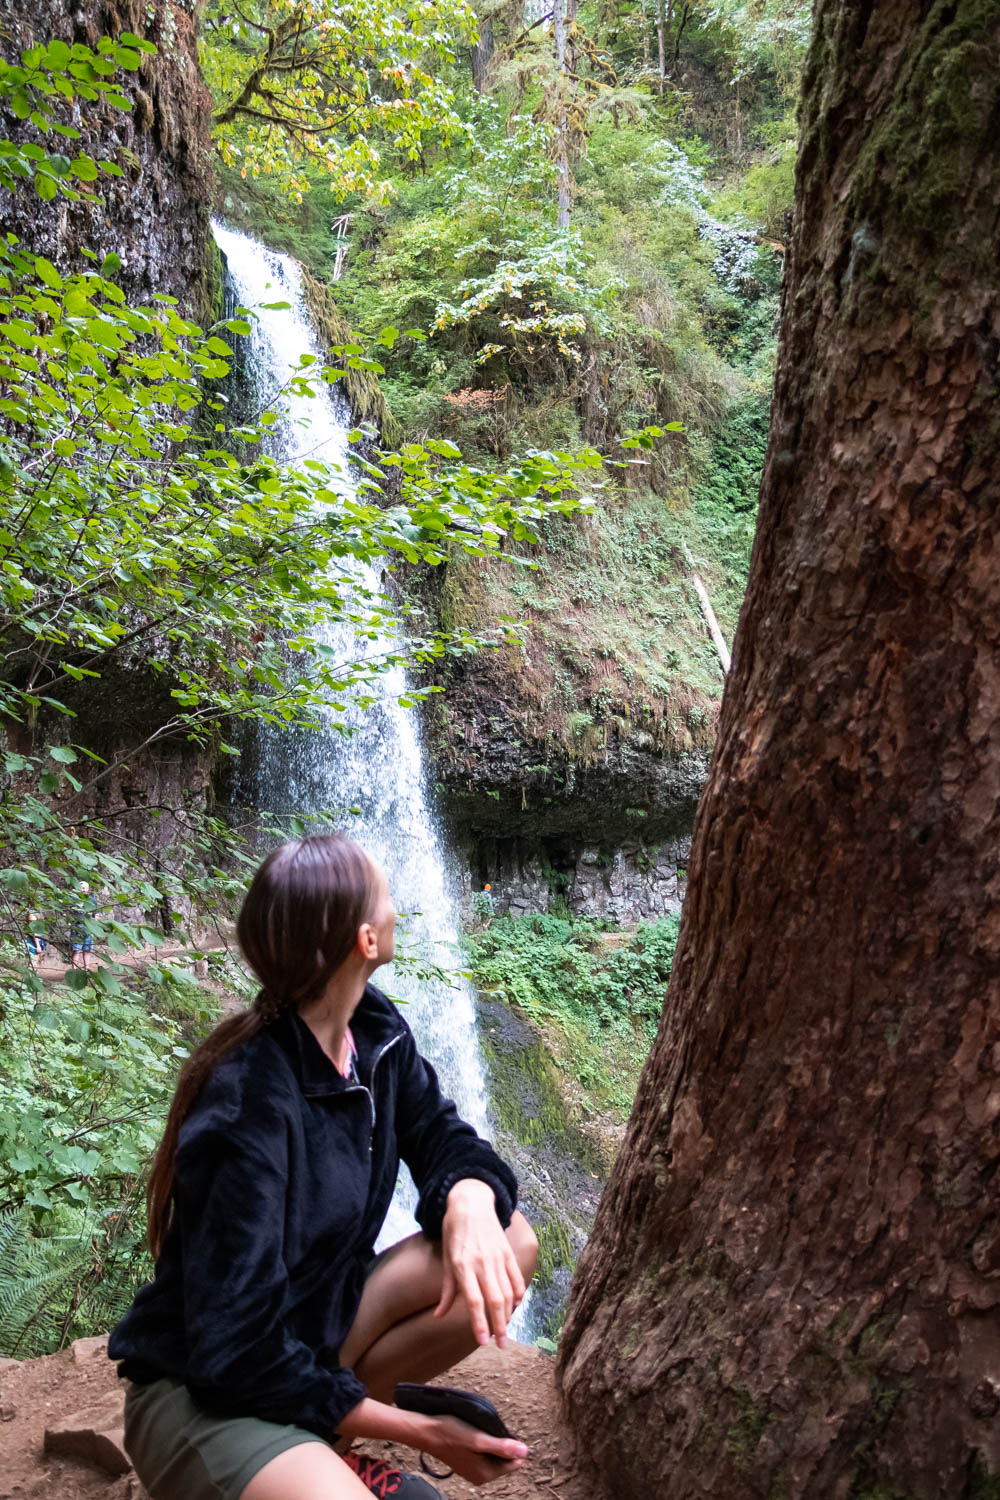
x=284 y=1175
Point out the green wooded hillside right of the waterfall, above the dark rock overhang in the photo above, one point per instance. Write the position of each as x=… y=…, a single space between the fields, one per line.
x=654 y=305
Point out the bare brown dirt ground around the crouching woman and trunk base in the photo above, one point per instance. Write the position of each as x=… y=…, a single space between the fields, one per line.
x=518 y=1381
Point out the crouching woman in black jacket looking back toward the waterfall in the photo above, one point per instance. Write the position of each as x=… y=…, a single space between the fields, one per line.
x=272 y=1334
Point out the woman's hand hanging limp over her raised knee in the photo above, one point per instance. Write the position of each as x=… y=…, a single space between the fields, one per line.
x=479 y=1264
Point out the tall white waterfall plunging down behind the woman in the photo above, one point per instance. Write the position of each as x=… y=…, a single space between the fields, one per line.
x=371 y=781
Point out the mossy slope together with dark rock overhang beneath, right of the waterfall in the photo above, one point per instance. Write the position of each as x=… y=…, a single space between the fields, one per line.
x=569 y=766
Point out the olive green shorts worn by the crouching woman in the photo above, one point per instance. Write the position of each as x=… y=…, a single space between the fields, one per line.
x=182 y=1453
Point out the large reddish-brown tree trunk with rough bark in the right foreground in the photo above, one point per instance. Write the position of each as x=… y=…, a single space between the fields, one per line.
x=794 y=1283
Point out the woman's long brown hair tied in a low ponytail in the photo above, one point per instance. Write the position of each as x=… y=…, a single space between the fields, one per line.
x=296 y=928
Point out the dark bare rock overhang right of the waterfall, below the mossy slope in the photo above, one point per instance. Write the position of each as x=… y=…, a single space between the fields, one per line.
x=603 y=829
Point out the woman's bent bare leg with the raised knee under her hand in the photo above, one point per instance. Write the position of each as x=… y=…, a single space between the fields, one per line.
x=395 y=1336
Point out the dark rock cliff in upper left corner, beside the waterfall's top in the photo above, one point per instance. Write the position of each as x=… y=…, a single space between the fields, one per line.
x=157 y=215
